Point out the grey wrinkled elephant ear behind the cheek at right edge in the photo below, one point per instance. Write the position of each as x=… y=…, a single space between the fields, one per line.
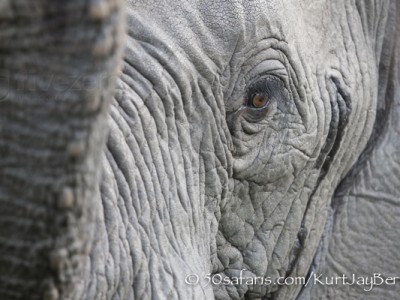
x=361 y=236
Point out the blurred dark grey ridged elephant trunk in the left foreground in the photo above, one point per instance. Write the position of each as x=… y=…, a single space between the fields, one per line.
x=56 y=61
